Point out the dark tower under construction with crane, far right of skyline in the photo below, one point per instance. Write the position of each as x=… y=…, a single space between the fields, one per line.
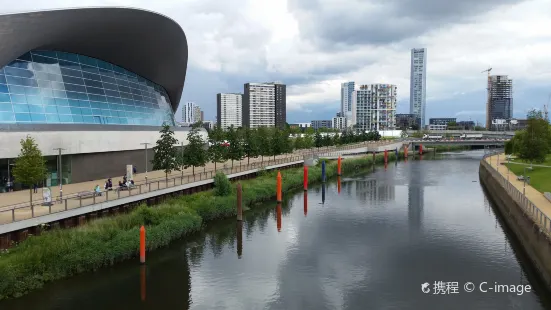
x=500 y=103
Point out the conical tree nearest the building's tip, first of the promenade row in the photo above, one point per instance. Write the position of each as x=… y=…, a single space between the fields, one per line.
x=165 y=152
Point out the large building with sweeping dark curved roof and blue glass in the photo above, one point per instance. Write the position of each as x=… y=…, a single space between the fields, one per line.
x=96 y=83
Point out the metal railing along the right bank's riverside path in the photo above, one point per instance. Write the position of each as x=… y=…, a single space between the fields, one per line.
x=528 y=207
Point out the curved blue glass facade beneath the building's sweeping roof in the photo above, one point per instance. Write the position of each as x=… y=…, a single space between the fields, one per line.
x=56 y=87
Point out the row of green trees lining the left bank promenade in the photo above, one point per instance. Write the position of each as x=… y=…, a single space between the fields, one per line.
x=237 y=144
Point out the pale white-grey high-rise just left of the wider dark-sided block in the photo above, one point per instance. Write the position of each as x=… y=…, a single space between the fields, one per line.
x=229 y=108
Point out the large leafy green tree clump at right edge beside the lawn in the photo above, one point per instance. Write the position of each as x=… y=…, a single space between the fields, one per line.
x=532 y=144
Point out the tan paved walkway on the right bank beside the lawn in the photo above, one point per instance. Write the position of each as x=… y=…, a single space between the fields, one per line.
x=537 y=198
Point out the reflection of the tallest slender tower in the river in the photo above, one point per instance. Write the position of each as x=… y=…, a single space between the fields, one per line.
x=416 y=199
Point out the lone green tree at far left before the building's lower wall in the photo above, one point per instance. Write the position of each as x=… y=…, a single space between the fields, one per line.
x=30 y=166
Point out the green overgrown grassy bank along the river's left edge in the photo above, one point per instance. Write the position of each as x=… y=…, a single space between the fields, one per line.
x=59 y=254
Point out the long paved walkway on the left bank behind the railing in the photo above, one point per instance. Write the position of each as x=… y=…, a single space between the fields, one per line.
x=69 y=190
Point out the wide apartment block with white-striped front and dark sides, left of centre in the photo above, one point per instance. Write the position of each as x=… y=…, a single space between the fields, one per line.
x=265 y=105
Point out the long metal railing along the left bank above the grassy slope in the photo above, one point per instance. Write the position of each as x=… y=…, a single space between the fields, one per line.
x=26 y=210
